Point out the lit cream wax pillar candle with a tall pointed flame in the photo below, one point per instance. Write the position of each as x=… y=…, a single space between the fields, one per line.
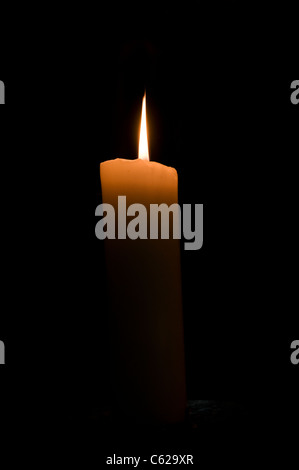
x=144 y=277
